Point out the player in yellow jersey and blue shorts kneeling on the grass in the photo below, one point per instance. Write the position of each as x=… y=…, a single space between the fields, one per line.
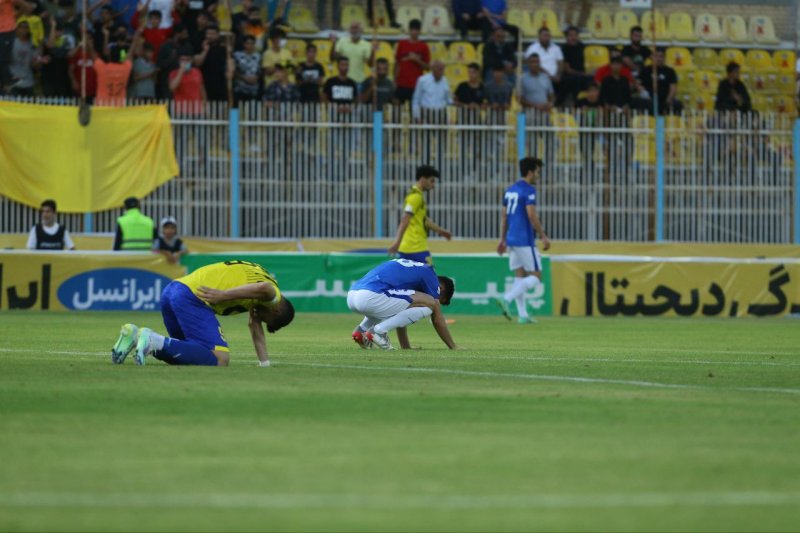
x=189 y=305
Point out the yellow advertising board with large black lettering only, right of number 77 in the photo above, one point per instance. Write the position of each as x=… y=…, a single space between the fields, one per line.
x=693 y=287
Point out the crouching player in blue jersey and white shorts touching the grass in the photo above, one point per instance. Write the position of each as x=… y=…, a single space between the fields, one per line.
x=395 y=295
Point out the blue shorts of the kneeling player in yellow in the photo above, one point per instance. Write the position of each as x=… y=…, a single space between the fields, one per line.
x=187 y=318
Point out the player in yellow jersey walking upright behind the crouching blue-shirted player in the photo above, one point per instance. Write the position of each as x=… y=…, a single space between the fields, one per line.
x=412 y=233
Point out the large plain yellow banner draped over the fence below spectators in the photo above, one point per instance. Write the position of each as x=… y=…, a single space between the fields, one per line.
x=46 y=153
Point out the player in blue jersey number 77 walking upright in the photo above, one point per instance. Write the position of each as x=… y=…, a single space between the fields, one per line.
x=520 y=225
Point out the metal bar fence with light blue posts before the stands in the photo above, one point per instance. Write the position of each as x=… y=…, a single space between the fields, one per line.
x=322 y=171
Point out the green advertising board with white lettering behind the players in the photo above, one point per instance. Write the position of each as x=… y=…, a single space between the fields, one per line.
x=318 y=282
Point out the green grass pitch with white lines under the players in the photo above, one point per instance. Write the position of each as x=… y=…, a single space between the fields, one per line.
x=570 y=424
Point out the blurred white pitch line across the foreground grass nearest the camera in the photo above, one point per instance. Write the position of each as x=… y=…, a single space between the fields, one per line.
x=372 y=501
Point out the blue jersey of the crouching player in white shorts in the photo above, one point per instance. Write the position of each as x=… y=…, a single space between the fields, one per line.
x=399 y=278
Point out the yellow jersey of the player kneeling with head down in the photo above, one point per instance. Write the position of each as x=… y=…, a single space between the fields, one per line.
x=228 y=275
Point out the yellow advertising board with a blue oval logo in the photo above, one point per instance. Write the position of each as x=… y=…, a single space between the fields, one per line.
x=122 y=281
